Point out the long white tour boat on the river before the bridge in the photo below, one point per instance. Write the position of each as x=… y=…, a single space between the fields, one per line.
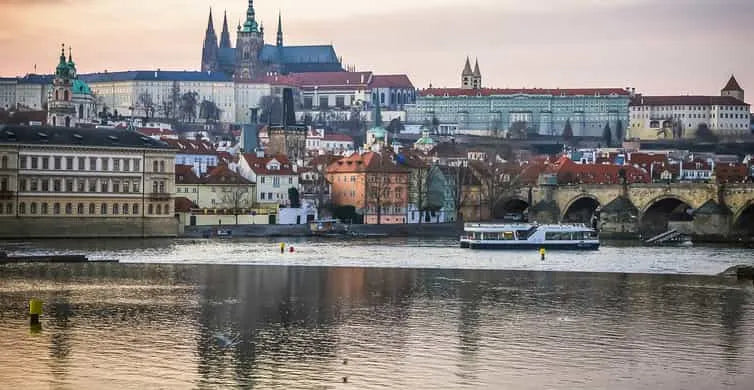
x=529 y=236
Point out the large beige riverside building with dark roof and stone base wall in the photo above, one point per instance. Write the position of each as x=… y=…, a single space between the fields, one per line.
x=60 y=182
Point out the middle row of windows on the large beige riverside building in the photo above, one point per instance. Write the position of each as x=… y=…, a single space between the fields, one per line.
x=78 y=185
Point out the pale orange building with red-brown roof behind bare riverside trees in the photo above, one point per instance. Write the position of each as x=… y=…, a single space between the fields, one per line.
x=374 y=184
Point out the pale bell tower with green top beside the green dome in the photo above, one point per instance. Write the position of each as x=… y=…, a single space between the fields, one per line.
x=60 y=108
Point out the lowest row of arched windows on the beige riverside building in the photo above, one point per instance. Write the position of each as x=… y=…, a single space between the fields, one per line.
x=43 y=208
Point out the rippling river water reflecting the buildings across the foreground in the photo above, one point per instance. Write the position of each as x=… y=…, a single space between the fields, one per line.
x=375 y=314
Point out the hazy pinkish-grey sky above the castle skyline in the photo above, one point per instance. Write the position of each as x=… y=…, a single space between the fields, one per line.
x=658 y=47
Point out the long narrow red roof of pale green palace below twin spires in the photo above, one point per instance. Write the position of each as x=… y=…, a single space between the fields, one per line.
x=534 y=91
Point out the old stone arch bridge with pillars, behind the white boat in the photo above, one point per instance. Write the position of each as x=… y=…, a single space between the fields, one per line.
x=703 y=209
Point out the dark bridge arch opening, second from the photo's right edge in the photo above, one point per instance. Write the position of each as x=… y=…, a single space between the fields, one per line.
x=656 y=215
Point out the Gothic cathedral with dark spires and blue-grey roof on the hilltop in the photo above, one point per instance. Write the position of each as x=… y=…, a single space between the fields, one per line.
x=252 y=58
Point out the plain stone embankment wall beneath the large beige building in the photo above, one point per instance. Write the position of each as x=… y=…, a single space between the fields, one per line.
x=64 y=227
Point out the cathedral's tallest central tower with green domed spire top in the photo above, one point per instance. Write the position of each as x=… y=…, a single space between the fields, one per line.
x=249 y=43
